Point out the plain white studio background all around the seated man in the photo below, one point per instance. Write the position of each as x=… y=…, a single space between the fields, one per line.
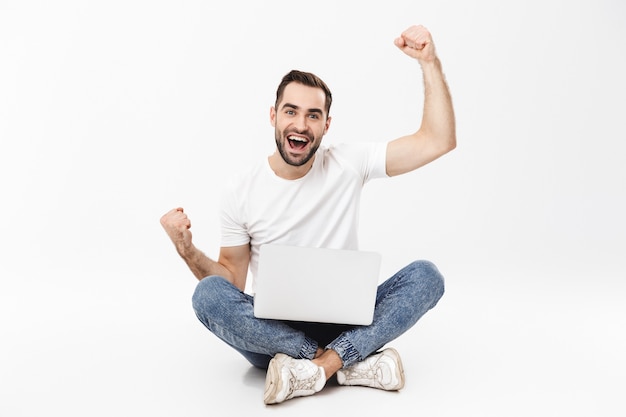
x=112 y=113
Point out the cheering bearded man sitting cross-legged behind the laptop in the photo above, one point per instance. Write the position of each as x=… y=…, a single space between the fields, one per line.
x=308 y=195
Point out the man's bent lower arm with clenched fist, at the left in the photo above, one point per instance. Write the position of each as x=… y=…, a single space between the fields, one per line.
x=232 y=263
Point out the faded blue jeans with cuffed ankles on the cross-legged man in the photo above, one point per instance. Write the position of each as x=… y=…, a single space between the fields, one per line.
x=400 y=302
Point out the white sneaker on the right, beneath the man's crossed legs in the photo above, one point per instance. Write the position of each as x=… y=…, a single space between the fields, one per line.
x=382 y=370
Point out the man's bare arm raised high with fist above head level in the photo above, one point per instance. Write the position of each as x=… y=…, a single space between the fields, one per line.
x=437 y=133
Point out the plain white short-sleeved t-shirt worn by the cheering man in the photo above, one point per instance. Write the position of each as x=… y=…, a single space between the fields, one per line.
x=320 y=209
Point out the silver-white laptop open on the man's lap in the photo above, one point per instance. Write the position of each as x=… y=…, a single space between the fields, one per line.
x=316 y=284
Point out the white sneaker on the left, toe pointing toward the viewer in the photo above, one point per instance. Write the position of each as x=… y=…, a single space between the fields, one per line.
x=288 y=378
